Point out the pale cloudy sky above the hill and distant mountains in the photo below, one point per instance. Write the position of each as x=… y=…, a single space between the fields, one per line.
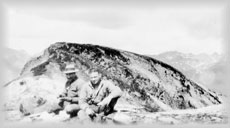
x=144 y=28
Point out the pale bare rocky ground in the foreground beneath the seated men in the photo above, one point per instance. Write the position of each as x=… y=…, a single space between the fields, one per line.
x=128 y=113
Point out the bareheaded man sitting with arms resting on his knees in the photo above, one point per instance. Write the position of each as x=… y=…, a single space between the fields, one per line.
x=97 y=96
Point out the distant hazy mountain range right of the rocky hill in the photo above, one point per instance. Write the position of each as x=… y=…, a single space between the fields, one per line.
x=205 y=69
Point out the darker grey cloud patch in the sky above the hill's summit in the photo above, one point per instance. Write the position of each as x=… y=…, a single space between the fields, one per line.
x=107 y=20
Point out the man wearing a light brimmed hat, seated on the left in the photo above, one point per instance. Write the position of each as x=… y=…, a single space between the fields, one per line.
x=69 y=98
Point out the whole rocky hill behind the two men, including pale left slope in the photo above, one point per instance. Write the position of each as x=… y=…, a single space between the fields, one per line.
x=147 y=83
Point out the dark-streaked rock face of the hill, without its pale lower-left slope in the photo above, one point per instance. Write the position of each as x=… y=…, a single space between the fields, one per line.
x=151 y=83
